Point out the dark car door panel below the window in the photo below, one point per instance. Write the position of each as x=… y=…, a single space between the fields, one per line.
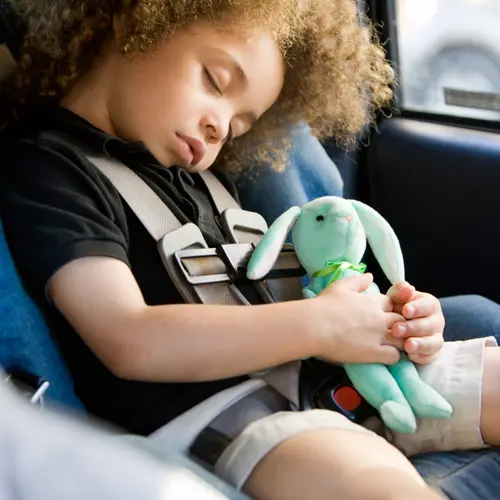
x=439 y=187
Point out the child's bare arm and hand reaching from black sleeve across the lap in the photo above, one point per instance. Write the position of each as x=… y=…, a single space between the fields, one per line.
x=101 y=299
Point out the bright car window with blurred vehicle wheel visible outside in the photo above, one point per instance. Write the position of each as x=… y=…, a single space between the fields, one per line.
x=449 y=56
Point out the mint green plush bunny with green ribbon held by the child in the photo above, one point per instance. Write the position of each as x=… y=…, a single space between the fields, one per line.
x=329 y=236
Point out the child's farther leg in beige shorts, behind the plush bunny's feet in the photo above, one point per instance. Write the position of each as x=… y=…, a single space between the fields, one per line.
x=466 y=373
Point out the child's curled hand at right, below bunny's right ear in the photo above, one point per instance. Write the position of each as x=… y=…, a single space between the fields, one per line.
x=423 y=332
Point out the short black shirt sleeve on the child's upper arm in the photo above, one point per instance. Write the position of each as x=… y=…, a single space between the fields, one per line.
x=55 y=208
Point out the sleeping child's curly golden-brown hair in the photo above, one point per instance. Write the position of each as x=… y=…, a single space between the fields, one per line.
x=337 y=76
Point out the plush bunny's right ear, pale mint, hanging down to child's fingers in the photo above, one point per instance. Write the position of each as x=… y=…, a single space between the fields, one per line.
x=383 y=241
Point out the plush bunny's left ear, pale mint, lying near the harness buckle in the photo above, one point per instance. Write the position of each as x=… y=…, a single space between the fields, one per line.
x=269 y=247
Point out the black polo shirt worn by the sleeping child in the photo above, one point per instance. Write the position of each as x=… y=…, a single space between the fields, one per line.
x=56 y=207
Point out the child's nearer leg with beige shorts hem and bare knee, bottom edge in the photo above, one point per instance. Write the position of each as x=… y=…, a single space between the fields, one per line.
x=316 y=454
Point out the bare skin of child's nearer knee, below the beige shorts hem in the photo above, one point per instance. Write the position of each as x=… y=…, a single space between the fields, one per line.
x=336 y=463
